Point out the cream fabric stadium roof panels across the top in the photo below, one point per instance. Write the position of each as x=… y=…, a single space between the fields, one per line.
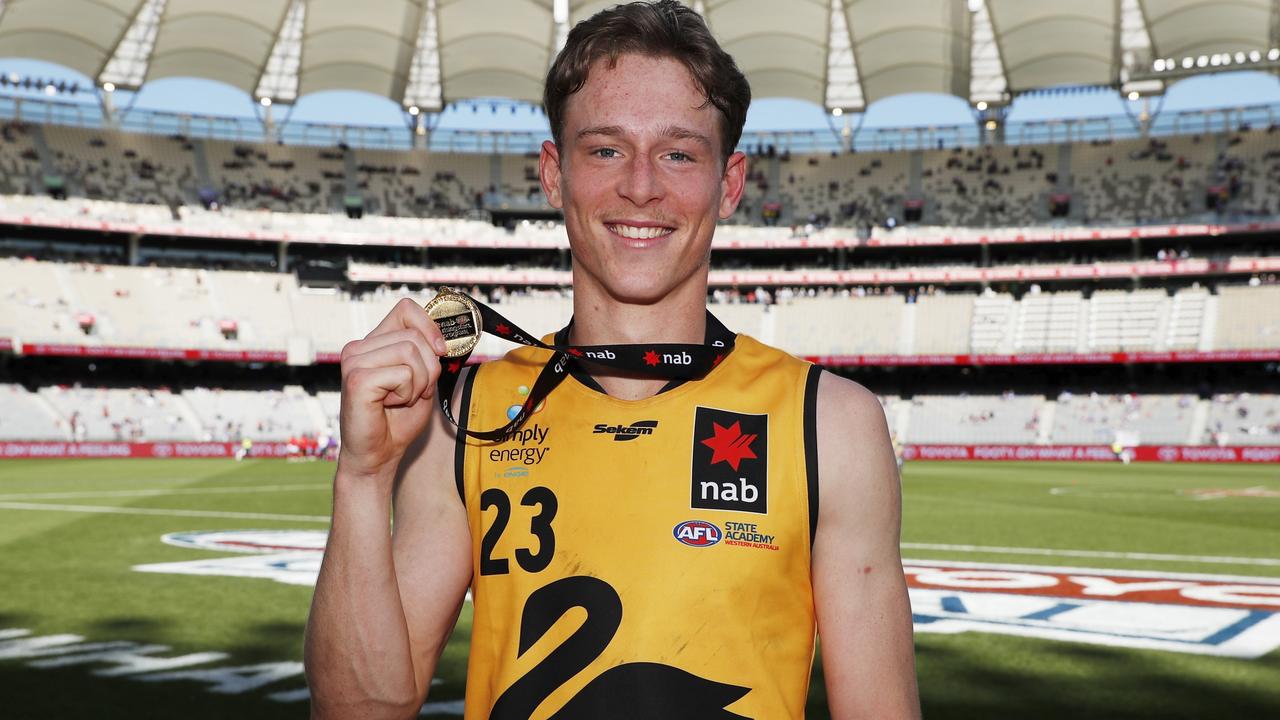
x=834 y=53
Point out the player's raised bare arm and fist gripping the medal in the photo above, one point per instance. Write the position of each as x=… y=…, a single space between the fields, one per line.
x=374 y=632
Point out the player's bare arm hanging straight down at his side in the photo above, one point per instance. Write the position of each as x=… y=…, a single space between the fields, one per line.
x=865 y=617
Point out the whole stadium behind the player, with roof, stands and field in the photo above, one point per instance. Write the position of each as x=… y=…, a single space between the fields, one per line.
x=1073 y=325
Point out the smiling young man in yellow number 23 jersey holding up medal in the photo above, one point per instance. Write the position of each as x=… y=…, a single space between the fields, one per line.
x=639 y=548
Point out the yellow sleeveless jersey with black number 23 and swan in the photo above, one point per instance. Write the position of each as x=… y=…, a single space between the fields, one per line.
x=643 y=559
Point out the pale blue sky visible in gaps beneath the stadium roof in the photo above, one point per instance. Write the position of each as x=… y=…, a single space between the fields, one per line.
x=211 y=98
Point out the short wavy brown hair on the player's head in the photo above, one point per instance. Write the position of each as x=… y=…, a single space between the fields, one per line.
x=662 y=30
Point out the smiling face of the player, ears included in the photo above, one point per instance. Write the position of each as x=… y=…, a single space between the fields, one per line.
x=642 y=181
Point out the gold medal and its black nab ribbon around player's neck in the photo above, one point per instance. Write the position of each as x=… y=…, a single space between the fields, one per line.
x=463 y=320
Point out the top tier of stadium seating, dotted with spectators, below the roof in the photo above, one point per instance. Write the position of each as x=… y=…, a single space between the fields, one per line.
x=1126 y=181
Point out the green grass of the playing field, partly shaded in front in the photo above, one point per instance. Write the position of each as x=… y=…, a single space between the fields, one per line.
x=71 y=534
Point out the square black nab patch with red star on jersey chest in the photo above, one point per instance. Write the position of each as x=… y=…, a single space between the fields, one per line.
x=730 y=466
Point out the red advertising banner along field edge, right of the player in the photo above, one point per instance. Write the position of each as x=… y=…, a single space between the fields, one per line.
x=1094 y=453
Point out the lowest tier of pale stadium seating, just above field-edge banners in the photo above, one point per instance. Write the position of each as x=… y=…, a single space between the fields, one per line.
x=227 y=416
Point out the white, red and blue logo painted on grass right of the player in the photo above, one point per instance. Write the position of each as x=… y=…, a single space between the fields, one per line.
x=1224 y=616
